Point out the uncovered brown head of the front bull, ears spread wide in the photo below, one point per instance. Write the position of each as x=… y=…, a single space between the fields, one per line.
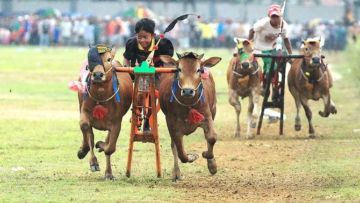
x=190 y=66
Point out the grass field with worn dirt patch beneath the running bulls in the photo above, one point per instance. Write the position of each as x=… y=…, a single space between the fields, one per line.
x=40 y=136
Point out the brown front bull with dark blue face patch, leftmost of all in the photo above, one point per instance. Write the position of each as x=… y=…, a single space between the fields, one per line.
x=108 y=97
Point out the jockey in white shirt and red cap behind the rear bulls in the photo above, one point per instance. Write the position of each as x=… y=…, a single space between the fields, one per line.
x=266 y=31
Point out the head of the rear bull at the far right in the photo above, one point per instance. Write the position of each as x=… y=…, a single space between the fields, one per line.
x=311 y=49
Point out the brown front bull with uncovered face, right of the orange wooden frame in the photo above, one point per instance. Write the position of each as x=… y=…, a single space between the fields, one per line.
x=189 y=102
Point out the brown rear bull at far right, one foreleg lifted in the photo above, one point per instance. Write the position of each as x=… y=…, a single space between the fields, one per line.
x=309 y=78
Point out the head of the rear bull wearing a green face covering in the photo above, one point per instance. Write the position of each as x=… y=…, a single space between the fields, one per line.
x=245 y=63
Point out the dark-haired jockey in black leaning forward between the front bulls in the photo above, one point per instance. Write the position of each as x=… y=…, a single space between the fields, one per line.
x=140 y=46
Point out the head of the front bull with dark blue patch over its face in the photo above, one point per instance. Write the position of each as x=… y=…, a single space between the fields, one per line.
x=100 y=62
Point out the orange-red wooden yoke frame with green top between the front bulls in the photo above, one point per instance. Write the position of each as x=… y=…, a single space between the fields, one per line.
x=144 y=107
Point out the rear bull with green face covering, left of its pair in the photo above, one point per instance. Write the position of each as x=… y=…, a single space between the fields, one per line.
x=244 y=80
